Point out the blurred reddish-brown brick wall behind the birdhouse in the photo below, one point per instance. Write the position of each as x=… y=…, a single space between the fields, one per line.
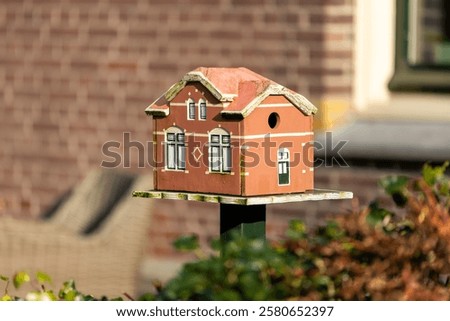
x=75 y=74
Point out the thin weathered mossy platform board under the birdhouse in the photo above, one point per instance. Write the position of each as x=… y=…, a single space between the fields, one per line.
x=312 y=195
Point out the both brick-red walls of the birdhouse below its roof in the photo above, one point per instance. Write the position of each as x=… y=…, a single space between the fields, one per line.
x=270 y=149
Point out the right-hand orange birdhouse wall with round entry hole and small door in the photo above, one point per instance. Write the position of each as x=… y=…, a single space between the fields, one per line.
x=263 y=172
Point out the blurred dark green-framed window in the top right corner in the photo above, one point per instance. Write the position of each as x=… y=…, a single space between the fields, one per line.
x=422 y=46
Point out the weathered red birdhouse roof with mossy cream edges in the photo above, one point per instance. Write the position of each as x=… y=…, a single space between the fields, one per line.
x=240 y=88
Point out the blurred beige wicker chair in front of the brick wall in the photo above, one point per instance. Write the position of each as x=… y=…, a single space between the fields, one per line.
x=95 y=236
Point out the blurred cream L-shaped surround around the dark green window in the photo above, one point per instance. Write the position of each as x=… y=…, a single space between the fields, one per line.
x=374 y=57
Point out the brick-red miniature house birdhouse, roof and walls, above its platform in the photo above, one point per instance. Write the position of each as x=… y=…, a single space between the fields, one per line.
x=234 y=132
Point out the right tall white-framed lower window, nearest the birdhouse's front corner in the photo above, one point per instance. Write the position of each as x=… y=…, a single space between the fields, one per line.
x=219 y=151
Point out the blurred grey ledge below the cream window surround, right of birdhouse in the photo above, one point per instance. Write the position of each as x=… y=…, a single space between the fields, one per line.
x=389 y=140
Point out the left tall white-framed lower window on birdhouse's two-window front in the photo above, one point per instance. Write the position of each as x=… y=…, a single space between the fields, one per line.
x=175 y=149
